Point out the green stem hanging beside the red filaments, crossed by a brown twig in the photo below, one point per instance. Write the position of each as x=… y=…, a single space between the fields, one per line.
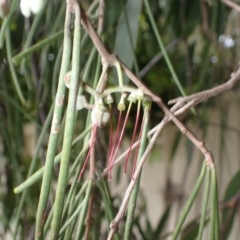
x=133 y=198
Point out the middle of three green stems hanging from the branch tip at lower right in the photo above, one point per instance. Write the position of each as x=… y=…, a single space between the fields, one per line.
x=204 y=205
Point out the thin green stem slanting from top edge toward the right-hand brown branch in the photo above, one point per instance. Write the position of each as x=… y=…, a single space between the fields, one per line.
x=161 y=45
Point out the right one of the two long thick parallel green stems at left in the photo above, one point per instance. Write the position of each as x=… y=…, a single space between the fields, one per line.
x=69 y=126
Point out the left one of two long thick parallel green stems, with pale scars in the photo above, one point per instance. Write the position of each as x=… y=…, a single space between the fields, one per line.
x=57 y=115
